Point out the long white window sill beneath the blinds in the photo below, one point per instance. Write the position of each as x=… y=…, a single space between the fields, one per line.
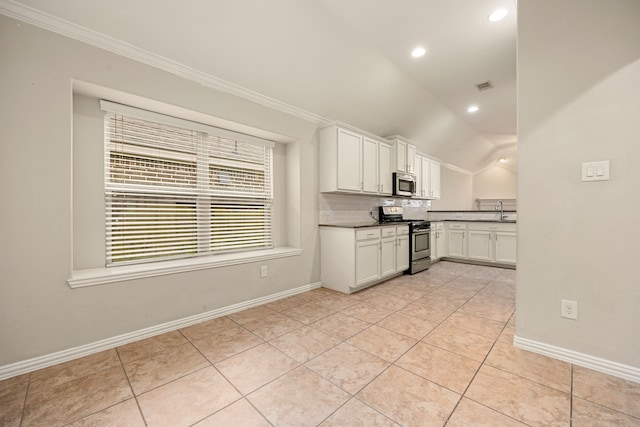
x=101 y=276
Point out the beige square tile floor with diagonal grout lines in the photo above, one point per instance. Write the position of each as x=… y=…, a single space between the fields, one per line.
x=426 y=350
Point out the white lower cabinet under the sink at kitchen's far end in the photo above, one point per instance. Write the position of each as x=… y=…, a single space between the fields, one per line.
x=489 y=242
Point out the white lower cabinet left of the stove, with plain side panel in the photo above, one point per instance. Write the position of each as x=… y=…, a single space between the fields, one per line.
x=354 y=258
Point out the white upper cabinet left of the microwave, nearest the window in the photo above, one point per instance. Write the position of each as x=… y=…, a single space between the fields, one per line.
x=353 y=162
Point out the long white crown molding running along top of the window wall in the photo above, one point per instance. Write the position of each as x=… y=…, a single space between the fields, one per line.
x=74 y=31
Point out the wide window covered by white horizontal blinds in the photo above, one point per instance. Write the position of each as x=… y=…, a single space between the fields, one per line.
x=176 y=189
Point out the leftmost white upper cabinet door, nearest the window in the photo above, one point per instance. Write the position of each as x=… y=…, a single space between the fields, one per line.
x=349 y=158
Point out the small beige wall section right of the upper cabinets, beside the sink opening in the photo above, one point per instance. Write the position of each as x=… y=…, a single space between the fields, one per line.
x=455 y=190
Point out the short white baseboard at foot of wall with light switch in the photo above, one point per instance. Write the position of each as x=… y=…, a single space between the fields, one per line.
x=615 y=369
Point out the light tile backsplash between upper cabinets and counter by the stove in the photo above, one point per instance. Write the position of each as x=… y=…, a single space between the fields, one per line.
x=347 y=208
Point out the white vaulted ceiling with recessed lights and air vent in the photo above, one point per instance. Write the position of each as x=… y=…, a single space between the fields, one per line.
x=345 y=60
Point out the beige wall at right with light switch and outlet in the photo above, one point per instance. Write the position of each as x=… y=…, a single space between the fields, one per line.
x=578 y=100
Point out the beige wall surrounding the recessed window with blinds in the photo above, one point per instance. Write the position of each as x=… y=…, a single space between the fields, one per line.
x=39 y=312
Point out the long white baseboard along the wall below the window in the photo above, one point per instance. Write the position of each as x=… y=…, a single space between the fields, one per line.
x=30 y=365
